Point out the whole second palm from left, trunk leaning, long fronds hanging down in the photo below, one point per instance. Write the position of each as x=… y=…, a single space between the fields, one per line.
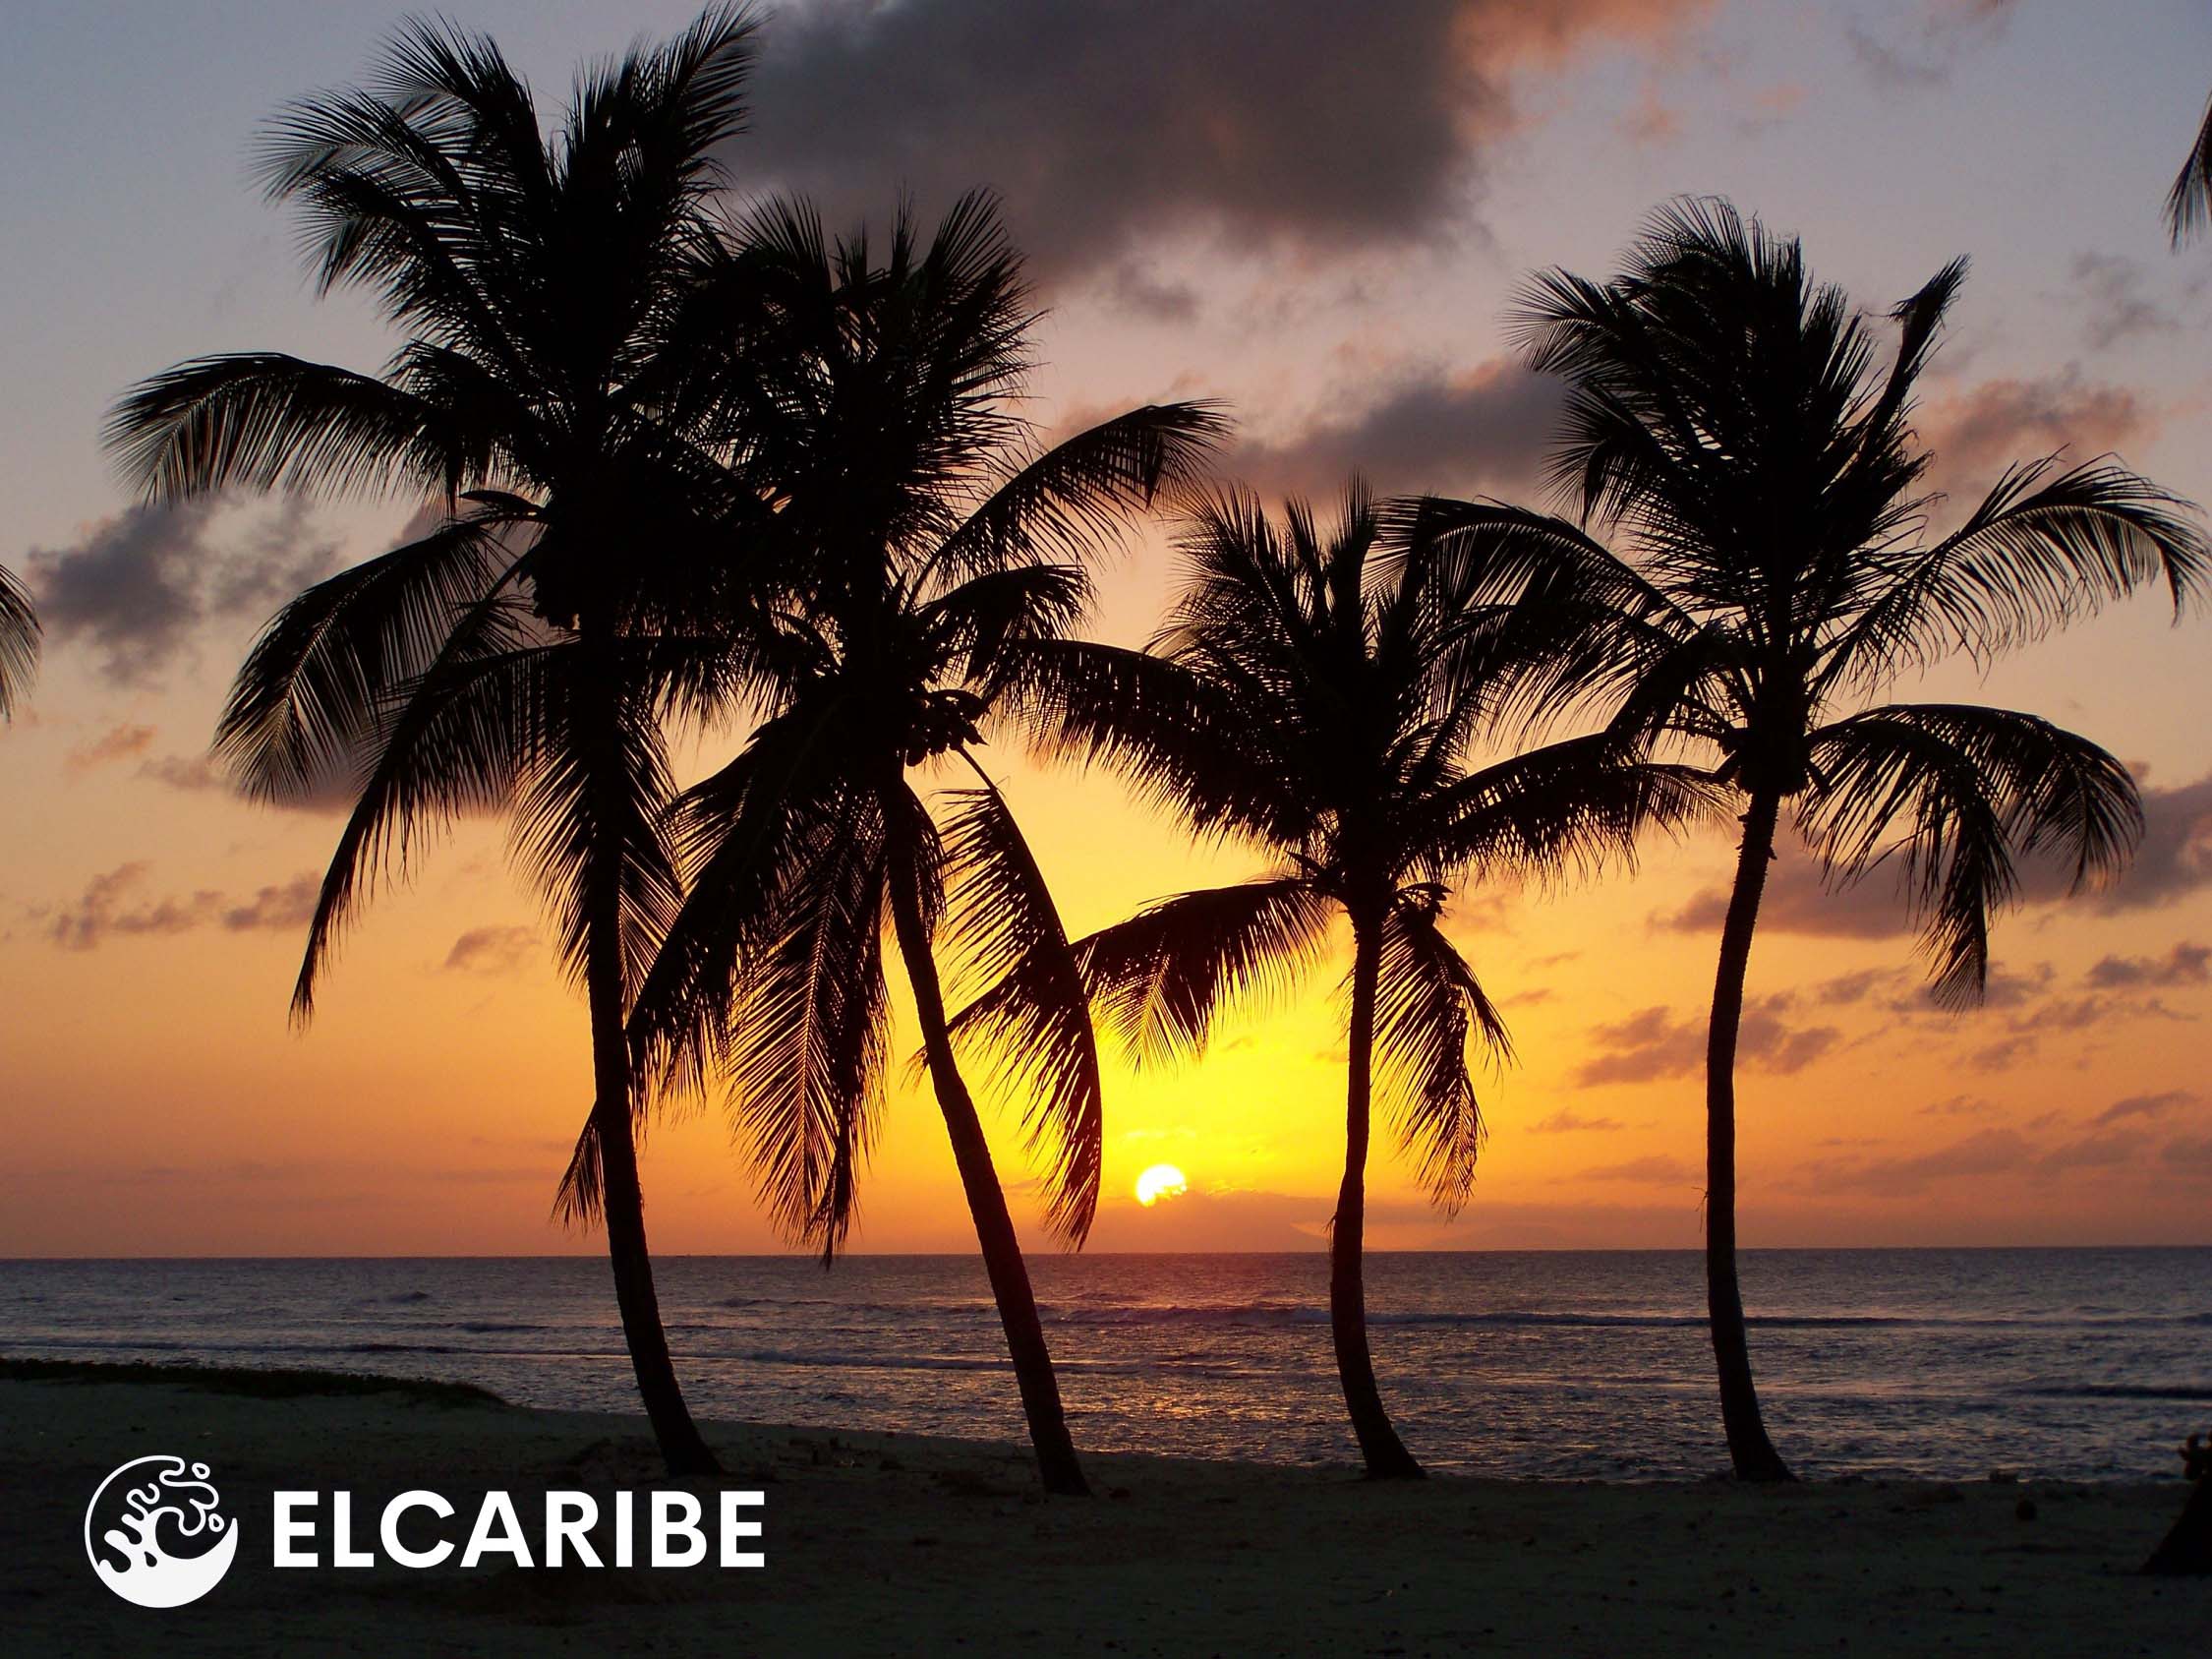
x=919 y=536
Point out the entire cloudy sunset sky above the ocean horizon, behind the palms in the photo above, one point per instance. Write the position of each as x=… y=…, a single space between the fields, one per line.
x=1322 y=216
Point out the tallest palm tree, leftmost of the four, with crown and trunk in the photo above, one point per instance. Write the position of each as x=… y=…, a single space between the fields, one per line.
x=523 y=651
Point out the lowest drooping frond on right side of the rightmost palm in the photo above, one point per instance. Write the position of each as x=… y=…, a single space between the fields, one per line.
x=1959 y=793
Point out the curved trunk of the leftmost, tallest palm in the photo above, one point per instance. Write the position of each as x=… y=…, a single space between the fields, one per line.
x=625 y=1202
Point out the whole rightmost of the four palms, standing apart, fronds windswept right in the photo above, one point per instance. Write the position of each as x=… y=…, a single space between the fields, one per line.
x=1731 y=428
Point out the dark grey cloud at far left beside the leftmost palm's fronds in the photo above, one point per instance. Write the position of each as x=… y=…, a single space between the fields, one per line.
x=136 y=587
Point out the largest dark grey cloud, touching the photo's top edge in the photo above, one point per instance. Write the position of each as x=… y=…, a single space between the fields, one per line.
x=1262 y=125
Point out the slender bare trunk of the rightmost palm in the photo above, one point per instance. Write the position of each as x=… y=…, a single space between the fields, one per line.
x=1749 y=1448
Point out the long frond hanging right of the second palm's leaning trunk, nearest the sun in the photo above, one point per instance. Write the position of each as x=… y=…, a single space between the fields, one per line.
x=1005 y=921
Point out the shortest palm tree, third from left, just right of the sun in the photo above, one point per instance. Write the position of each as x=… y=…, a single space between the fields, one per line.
x=1317 y=696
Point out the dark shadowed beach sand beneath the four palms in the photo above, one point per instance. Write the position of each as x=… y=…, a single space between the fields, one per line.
x=906 y=1545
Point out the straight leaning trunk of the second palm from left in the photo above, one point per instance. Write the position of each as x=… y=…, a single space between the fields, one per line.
x=994 y=1229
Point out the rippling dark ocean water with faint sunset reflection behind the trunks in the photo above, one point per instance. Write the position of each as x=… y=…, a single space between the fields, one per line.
x=1926 y=1364
